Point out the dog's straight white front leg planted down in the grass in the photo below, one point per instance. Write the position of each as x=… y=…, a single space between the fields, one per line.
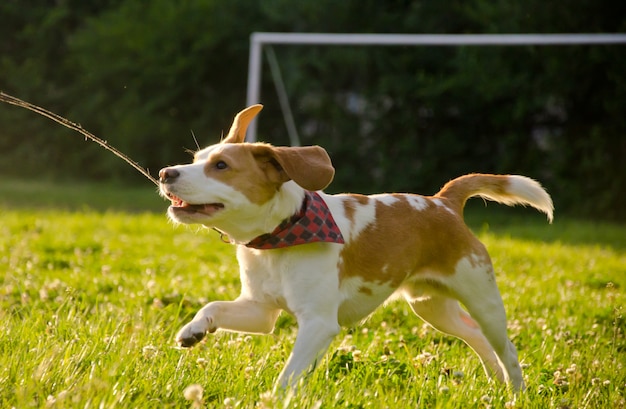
x=314 y=337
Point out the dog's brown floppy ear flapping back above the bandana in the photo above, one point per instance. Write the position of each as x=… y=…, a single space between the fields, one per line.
x=308 y=166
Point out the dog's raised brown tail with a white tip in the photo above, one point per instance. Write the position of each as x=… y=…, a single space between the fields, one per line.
x=506 y=189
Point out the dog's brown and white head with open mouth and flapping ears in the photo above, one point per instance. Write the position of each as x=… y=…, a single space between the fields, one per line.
x=236 y=180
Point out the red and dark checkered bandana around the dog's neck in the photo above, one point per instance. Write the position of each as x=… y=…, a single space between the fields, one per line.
x=311 y=224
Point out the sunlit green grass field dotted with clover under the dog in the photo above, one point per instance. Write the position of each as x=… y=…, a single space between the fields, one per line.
x=96 y=282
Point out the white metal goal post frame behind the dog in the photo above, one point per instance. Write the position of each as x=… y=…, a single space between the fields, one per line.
x=259 y=39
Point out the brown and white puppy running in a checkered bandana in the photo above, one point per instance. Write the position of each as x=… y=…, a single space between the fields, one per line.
x=331 y=260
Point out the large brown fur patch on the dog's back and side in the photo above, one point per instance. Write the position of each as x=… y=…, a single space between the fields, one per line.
x=409 y=242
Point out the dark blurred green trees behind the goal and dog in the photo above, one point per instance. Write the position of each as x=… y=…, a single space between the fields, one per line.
x=145 y=74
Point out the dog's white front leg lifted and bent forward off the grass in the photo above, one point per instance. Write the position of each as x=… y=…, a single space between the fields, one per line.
x=241 y=315
